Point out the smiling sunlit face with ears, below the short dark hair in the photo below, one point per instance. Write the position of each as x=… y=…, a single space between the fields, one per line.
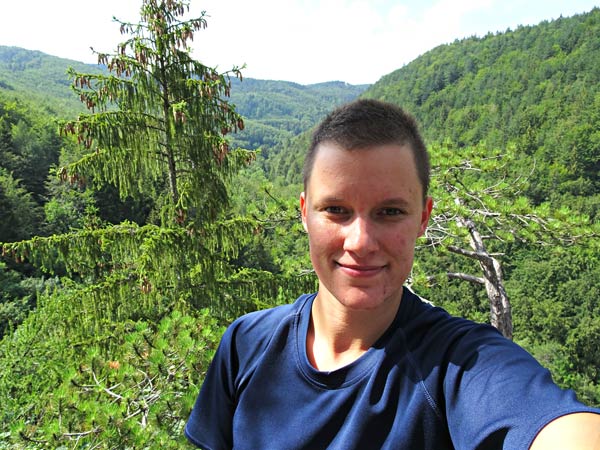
x=363 y=211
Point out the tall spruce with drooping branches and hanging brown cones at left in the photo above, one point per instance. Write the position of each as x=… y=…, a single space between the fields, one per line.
x=156 y=126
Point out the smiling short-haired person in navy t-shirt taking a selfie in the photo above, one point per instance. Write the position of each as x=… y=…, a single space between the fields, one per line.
x=364 y=363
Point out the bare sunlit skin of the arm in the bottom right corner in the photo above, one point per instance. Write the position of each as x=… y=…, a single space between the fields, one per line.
x=578 y=431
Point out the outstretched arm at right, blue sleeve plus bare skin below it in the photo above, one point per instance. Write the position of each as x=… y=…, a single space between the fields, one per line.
x=518 y=397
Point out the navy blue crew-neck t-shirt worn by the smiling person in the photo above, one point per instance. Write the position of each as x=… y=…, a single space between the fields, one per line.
x=432 y=381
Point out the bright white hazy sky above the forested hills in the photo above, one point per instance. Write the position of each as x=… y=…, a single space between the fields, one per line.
x=304 y=41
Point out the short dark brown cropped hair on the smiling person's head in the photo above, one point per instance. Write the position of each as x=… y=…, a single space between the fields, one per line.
x=367 y=123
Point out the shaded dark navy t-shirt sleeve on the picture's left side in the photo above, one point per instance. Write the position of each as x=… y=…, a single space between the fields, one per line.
x=210 y=423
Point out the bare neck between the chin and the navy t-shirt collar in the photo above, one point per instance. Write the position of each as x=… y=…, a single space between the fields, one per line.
x=337 y=335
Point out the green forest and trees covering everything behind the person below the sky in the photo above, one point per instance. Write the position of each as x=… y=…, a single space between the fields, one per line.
x=125 y=254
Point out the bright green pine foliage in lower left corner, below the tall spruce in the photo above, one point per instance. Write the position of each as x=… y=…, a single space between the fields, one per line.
x=132 y=384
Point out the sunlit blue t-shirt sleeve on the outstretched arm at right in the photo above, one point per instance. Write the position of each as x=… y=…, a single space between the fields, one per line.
x=498 y=396
